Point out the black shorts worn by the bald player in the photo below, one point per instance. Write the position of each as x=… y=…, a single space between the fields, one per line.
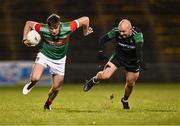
x=129 y=65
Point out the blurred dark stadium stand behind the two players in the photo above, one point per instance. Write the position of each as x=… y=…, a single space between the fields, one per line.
x=158 y=19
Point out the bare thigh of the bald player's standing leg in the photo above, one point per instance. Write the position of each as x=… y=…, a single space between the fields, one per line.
x=131 y=77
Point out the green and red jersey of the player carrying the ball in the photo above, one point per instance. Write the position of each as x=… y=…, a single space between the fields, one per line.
x=55 y=47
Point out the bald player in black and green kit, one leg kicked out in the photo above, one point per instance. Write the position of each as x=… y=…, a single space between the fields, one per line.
x=128 y=54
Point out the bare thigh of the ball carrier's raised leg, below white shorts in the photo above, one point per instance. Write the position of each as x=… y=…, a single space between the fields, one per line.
x=37 y=71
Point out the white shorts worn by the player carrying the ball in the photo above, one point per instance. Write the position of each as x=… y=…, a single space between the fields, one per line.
x=55 y=66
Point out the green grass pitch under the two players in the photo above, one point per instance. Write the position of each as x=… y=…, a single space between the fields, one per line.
x=150 y=104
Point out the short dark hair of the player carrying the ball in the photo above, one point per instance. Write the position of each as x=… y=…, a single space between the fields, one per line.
x=53 y=20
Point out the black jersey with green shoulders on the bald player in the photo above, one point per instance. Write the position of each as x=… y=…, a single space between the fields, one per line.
x=126 y=47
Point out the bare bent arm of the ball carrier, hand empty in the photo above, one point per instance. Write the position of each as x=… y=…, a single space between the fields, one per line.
x=84 y=22
